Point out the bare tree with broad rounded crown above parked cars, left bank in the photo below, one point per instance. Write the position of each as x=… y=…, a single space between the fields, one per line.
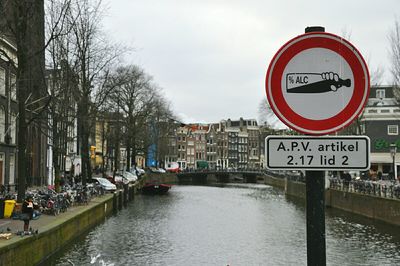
x=137 y=99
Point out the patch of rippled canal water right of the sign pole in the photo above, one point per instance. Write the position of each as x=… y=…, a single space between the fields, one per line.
x=362 y=240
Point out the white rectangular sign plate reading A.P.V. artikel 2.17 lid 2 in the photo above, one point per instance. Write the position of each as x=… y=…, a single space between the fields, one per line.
x=317 y=153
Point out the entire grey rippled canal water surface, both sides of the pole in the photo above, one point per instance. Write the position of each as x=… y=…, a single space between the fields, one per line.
x=231 y=225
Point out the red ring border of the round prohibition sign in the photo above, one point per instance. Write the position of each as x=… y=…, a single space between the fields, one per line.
x=308 y=41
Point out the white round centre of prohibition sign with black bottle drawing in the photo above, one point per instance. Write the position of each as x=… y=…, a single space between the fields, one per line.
x=315 y=91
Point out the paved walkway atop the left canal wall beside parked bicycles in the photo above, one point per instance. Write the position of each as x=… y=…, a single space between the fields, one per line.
x=45 y=222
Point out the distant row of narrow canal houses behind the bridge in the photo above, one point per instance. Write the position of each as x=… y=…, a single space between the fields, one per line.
x=229 y=144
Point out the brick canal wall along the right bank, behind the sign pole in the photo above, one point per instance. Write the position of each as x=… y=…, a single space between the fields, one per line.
x=374 y=207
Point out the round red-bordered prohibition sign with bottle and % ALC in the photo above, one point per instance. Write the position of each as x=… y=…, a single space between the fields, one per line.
x=317 y=83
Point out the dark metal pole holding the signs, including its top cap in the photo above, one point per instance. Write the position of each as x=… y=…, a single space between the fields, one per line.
x=315 y=208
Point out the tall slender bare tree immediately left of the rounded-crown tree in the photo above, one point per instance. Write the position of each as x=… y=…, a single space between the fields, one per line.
x=92 y=57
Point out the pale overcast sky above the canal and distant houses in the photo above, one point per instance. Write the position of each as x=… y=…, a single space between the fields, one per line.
x=211 y=56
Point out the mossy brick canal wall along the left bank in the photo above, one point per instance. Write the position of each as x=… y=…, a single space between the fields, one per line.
x=31 y=250
